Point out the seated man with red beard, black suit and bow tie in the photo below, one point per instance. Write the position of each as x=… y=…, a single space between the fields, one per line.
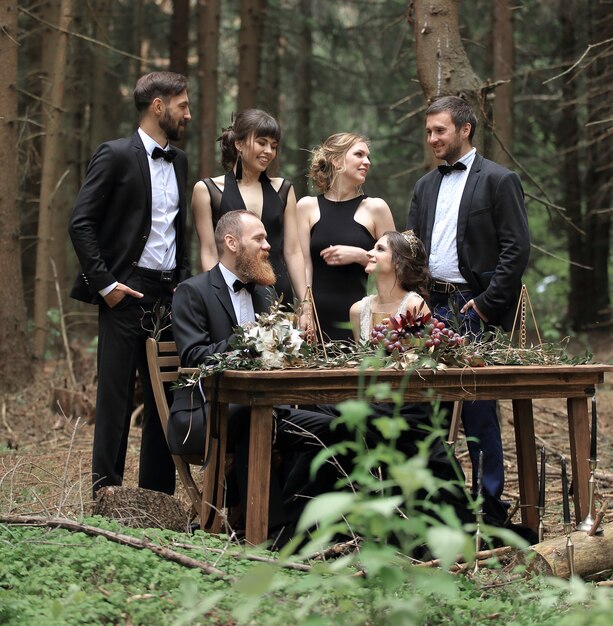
x=205 y=311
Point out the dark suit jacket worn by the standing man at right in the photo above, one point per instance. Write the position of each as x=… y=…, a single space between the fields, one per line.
x=493 y=241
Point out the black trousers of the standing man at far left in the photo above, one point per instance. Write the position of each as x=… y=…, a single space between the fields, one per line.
x=122 y=333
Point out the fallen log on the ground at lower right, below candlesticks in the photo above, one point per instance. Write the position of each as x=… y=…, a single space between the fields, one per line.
x=593 y=555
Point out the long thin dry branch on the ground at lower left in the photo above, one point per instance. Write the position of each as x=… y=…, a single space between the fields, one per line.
x=126 y=540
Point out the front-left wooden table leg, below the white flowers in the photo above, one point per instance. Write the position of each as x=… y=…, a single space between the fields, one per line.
x=258 y=482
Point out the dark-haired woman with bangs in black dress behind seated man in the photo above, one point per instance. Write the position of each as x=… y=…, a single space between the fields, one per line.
x=248 y=148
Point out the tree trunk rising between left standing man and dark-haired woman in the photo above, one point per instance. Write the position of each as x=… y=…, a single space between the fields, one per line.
x=208 y=58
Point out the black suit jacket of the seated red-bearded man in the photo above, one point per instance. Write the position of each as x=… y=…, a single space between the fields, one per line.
x=203 y=317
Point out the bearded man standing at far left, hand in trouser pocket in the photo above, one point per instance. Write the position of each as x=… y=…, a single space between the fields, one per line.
x=128 y=231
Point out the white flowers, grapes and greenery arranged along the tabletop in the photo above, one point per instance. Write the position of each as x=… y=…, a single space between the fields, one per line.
x=408 y=341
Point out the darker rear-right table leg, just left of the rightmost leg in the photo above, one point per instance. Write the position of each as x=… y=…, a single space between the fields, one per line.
x=523 y=421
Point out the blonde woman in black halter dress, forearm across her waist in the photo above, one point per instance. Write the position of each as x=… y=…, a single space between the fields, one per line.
x=338 y=228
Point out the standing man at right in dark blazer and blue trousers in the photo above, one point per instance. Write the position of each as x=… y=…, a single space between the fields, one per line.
x=471 y=217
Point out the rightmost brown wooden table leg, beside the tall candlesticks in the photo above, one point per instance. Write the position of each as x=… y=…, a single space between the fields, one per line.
x=578 y=433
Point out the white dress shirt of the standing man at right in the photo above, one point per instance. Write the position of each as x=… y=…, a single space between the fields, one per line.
x=443 y=261
